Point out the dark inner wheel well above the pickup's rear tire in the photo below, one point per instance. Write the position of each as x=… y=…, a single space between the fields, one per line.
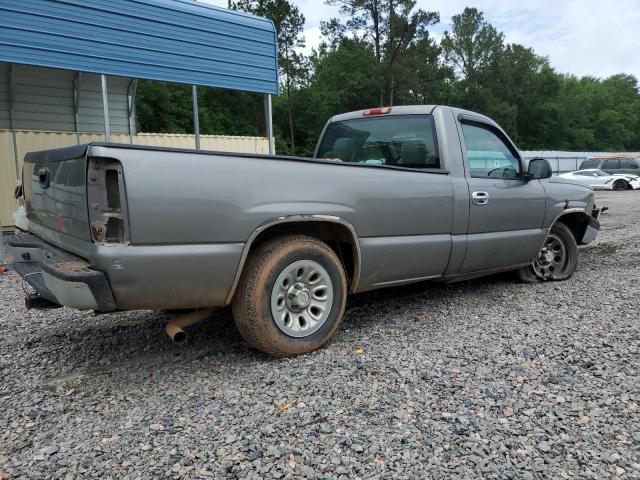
x=338 y=236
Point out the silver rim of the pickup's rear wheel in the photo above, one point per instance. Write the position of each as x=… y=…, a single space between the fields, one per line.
x=301 y=298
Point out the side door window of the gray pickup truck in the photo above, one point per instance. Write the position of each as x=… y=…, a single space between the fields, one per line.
x=488 y=155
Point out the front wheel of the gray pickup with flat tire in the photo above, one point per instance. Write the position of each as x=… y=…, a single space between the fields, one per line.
x=556 y=260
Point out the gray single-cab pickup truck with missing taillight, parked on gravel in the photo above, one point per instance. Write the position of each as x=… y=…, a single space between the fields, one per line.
x=392 y=196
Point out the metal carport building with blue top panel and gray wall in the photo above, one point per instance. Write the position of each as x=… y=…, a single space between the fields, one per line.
x=100 y=48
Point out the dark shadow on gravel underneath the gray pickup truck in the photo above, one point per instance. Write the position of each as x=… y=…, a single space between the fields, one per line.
x=121 y=345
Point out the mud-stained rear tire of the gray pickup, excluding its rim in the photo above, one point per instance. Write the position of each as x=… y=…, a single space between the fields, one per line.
x=252 y=301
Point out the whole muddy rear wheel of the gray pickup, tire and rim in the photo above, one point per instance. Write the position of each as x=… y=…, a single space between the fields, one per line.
x=291 y=296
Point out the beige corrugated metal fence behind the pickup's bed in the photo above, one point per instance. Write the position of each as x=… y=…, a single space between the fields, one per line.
x=31 y=141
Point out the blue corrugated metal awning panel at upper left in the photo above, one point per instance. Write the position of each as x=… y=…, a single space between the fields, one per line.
x=178 y=41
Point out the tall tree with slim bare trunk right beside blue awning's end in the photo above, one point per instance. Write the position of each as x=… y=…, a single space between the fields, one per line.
x=289 y=23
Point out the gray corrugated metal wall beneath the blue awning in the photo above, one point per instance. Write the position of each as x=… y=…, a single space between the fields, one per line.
x=43 y=100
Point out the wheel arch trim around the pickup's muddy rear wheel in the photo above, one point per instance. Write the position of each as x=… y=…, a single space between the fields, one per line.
x=337 y=232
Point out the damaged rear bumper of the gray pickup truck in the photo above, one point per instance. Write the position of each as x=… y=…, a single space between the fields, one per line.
x=58 y=276
